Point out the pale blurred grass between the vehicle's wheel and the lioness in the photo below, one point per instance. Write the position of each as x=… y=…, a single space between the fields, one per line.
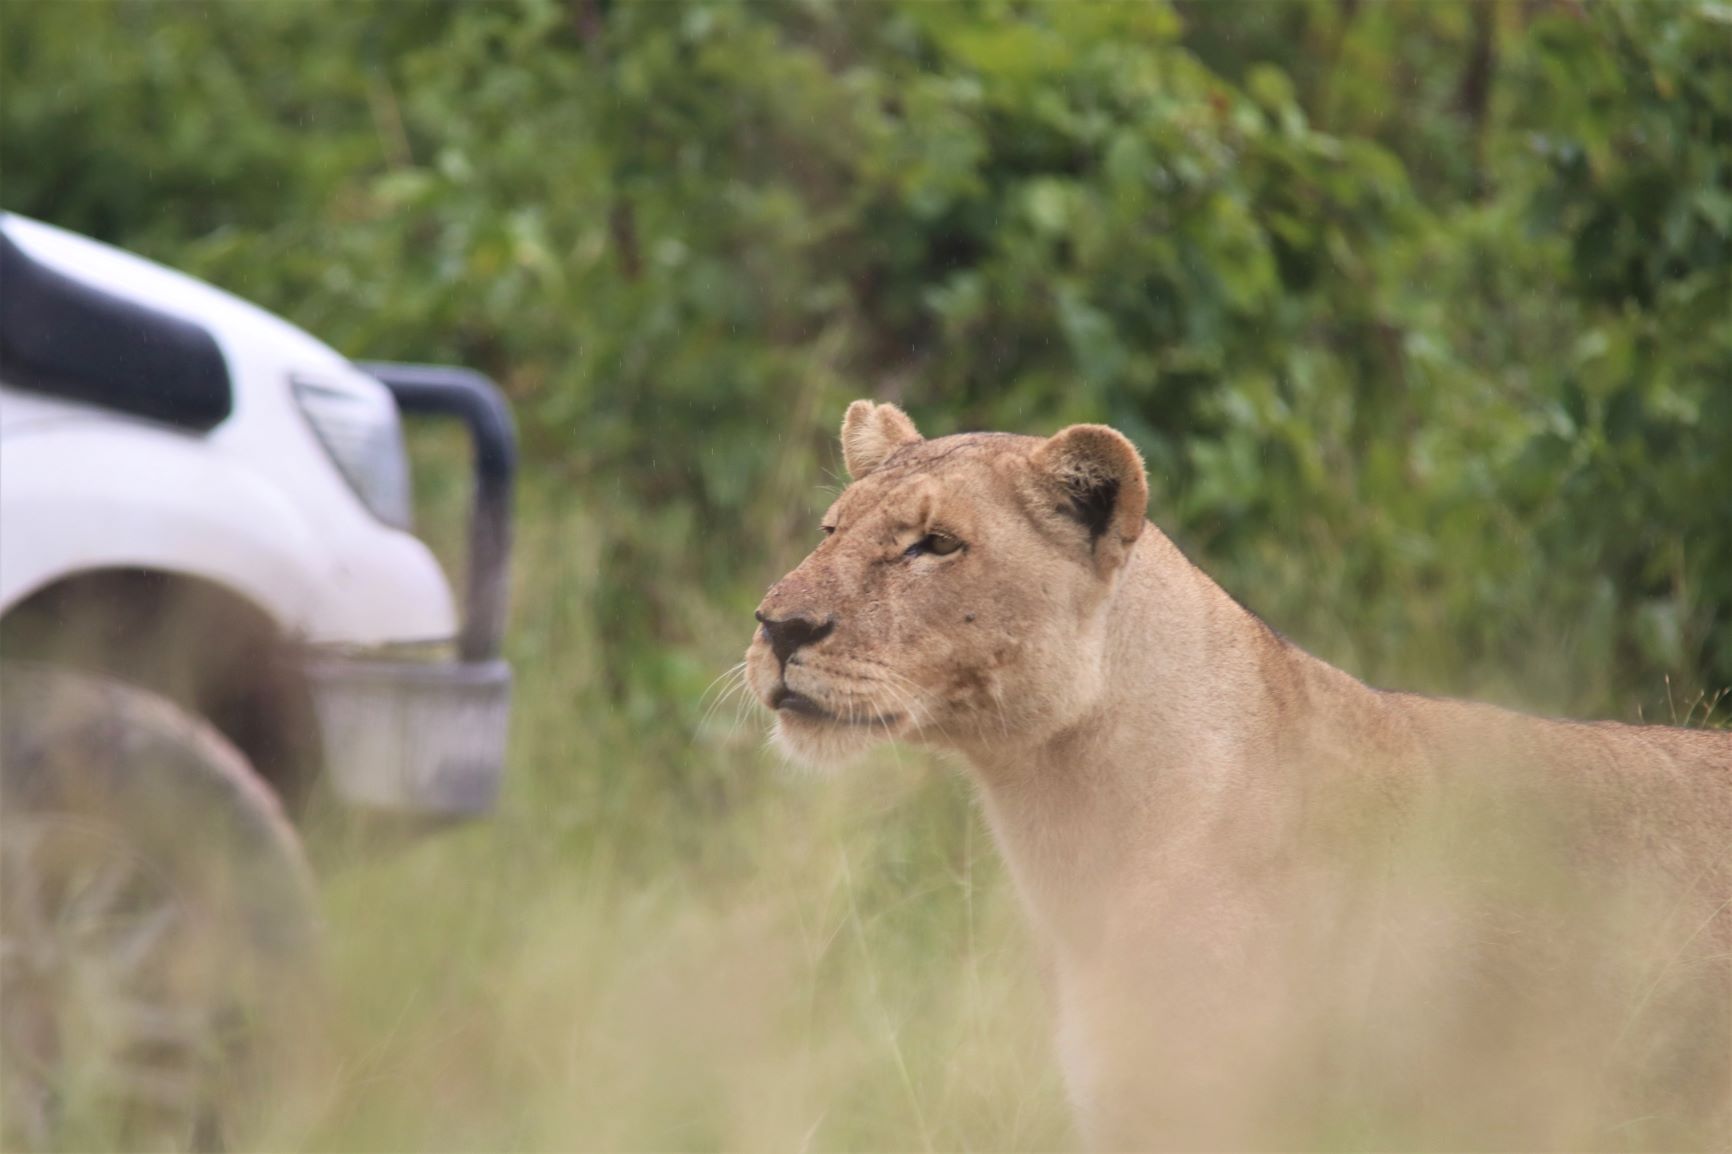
x=666 y=940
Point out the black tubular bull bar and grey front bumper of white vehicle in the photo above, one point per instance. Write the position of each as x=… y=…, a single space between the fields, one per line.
x=429 y=739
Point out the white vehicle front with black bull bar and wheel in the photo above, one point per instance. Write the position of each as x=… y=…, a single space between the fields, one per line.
x=212 y=614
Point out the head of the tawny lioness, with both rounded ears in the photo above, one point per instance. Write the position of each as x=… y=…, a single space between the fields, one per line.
x=959 y=592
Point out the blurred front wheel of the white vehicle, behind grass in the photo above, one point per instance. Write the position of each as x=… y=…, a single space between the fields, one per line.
x=158 y=930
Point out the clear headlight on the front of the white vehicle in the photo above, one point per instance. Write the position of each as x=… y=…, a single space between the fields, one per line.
x=366 y=441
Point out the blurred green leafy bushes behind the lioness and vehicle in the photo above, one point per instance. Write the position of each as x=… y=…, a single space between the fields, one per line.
x=1419 y=313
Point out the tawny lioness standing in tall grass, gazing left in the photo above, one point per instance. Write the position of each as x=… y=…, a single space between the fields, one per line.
x=1281 y=909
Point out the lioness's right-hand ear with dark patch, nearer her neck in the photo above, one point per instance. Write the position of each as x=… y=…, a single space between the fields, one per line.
x=1099 y=479
